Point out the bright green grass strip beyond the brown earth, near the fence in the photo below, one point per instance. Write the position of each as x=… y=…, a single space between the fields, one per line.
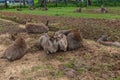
x=68 y=12
